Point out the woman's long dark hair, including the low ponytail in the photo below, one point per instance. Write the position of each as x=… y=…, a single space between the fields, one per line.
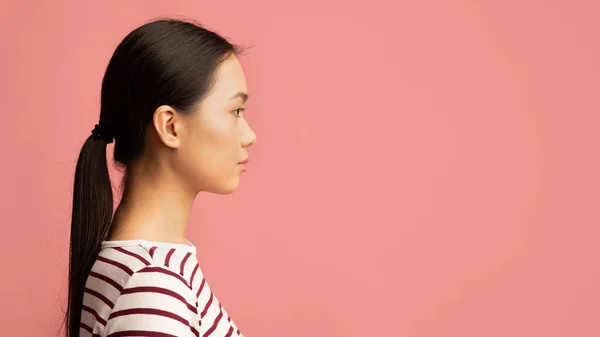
x=163 y=62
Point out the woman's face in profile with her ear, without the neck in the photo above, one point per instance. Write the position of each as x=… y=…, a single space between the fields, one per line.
x=210 y=142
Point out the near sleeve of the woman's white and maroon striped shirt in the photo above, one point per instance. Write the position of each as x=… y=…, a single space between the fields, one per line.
x=155 y=302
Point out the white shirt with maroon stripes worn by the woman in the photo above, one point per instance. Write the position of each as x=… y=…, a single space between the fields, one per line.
x=147 y=288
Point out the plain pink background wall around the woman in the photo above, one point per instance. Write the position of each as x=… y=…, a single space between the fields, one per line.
x=423 y=168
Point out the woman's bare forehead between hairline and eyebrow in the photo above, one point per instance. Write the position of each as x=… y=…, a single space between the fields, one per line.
x=230 y=78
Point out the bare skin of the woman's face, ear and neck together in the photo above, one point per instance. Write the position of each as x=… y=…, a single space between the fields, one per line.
x=186 y=154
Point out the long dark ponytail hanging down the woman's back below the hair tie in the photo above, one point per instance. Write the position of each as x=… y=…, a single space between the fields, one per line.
x=90 y=223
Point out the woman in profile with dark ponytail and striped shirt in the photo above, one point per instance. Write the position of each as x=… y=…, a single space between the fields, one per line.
x=172 y=100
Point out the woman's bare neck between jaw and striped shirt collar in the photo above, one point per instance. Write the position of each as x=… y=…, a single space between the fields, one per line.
x=155 y=206
